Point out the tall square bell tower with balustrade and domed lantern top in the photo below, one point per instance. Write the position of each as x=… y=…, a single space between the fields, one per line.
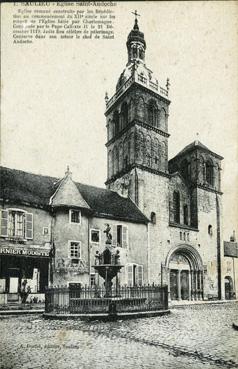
x=137 y=131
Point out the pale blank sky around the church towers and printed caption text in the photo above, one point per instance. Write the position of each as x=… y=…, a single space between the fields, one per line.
x=52 y=103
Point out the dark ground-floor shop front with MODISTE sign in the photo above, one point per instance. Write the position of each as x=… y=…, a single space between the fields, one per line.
x=23 y=267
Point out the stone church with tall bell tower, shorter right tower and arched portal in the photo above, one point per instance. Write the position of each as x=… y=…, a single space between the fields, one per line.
x=181 y=197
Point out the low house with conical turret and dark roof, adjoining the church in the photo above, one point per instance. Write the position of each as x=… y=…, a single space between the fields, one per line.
x=52 y=228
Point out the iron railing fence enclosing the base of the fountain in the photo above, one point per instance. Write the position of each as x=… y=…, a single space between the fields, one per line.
x=85 y=300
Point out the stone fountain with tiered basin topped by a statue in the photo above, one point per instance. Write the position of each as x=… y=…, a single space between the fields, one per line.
x=107 y=263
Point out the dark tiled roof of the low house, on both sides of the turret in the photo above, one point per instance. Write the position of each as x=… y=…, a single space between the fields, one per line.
x=23 y=187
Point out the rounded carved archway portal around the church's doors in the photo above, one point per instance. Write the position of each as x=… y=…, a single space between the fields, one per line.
x=185 y=267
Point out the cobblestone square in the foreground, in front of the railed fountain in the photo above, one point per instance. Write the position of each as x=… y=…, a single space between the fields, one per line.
x=191 y=337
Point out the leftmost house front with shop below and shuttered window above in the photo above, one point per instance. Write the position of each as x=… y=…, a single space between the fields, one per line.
x=25 y=246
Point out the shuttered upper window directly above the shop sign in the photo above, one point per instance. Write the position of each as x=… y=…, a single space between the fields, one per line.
x=16 y=223
